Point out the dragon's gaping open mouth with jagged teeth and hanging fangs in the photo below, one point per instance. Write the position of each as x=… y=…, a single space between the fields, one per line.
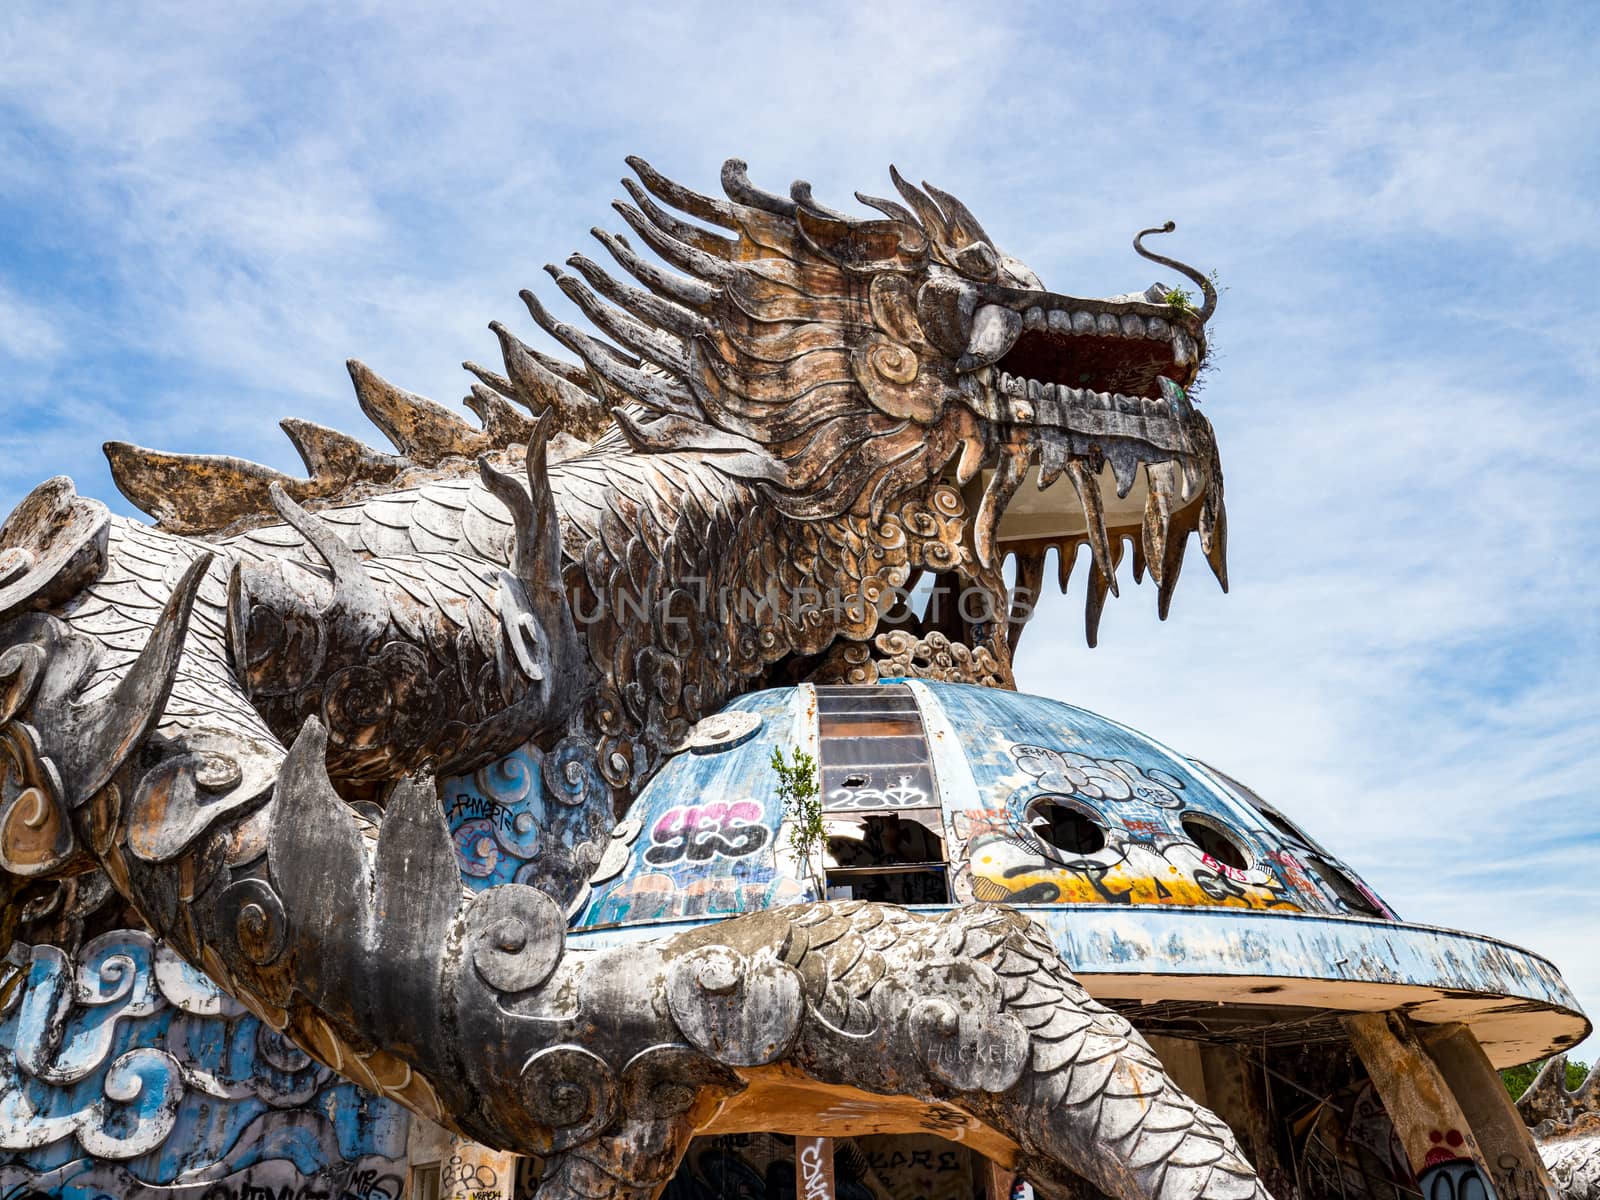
x=1092 y=391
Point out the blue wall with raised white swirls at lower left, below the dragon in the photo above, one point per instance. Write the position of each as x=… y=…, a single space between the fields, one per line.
x=106 y=1057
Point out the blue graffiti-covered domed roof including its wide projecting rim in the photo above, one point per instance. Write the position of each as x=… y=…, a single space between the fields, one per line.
x=1170 y=889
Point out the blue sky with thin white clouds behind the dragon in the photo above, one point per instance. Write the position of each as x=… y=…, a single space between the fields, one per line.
x=204 y=214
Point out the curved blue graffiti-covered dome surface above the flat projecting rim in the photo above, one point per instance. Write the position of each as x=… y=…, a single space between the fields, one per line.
x=1014 y=799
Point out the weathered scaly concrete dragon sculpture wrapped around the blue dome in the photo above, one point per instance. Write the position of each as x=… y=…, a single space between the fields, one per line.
x=236 y=716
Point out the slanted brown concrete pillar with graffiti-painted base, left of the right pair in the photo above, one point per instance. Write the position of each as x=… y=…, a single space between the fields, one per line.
x=1436 y=1134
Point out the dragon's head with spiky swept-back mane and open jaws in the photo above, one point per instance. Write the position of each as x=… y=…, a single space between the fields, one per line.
x=842 y=364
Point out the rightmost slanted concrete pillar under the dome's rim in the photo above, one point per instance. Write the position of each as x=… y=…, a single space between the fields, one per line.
x=1508 y=1146
